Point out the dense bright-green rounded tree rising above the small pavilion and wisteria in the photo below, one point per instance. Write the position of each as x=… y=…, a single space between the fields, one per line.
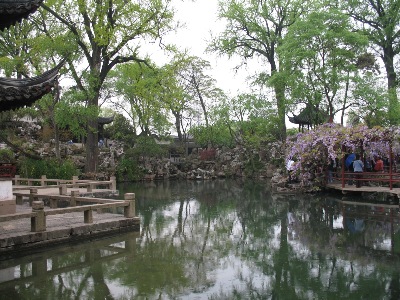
x=320 y=54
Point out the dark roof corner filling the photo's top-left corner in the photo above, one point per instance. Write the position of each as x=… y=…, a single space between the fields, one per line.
x=12 y=11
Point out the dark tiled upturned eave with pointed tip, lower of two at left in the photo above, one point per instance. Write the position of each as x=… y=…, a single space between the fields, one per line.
x=17 y=93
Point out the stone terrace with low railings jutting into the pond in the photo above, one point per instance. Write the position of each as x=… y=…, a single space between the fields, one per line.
x=30 y=229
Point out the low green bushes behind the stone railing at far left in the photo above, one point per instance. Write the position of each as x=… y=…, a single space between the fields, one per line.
x=52 y=168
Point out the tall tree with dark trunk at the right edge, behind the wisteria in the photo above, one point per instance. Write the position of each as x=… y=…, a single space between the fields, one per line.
x=380 y=21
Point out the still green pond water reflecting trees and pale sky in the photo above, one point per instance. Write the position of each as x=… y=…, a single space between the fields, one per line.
x=224 y=240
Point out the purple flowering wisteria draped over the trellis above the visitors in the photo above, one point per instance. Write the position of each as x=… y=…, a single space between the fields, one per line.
x=313 y=150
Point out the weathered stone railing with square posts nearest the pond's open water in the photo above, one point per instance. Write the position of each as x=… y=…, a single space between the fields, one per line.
x=38 y=214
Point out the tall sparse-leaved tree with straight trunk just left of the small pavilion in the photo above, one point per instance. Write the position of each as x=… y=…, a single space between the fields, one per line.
x=255 y=29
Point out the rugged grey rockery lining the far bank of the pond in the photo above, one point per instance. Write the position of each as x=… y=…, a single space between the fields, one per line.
x=238 y=162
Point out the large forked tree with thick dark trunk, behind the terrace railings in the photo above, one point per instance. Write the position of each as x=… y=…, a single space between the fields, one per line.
x=107 y=33
